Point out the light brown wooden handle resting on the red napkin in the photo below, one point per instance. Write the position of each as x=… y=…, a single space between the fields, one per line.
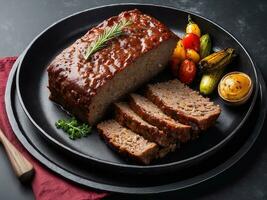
x=22 y=167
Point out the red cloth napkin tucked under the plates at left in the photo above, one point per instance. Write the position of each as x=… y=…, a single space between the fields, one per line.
x=46 y=185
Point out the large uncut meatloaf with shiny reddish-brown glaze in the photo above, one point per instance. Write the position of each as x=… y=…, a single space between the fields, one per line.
x=86 y=87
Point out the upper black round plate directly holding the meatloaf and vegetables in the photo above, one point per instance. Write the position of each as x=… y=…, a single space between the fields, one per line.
x=33 y=92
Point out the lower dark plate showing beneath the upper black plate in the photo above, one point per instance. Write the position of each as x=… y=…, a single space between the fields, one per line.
x=89 y=176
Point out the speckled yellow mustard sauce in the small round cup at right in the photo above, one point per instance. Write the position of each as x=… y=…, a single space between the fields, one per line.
x=235 y=86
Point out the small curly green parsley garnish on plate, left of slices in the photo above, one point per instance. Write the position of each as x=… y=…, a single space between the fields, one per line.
x=73 y=128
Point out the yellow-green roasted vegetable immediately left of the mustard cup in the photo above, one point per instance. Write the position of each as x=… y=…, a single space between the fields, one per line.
x=209 y=81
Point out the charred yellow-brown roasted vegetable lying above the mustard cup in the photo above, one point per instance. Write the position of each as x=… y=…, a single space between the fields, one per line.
x=217 y=60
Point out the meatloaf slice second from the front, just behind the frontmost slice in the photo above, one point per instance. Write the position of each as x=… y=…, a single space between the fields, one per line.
x=127 y=117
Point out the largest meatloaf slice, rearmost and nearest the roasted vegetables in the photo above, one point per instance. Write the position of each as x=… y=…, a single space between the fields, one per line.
x=184 y=104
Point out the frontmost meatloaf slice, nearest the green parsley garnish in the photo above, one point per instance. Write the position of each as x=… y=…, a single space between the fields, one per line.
x=127 y=142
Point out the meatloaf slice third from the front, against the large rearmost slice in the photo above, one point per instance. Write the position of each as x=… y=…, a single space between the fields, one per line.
x=152 y=114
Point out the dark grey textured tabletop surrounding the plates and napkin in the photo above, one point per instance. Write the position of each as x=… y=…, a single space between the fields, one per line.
x=21 y=21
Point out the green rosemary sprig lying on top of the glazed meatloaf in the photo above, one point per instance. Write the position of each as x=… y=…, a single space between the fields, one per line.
x=107 y=35
